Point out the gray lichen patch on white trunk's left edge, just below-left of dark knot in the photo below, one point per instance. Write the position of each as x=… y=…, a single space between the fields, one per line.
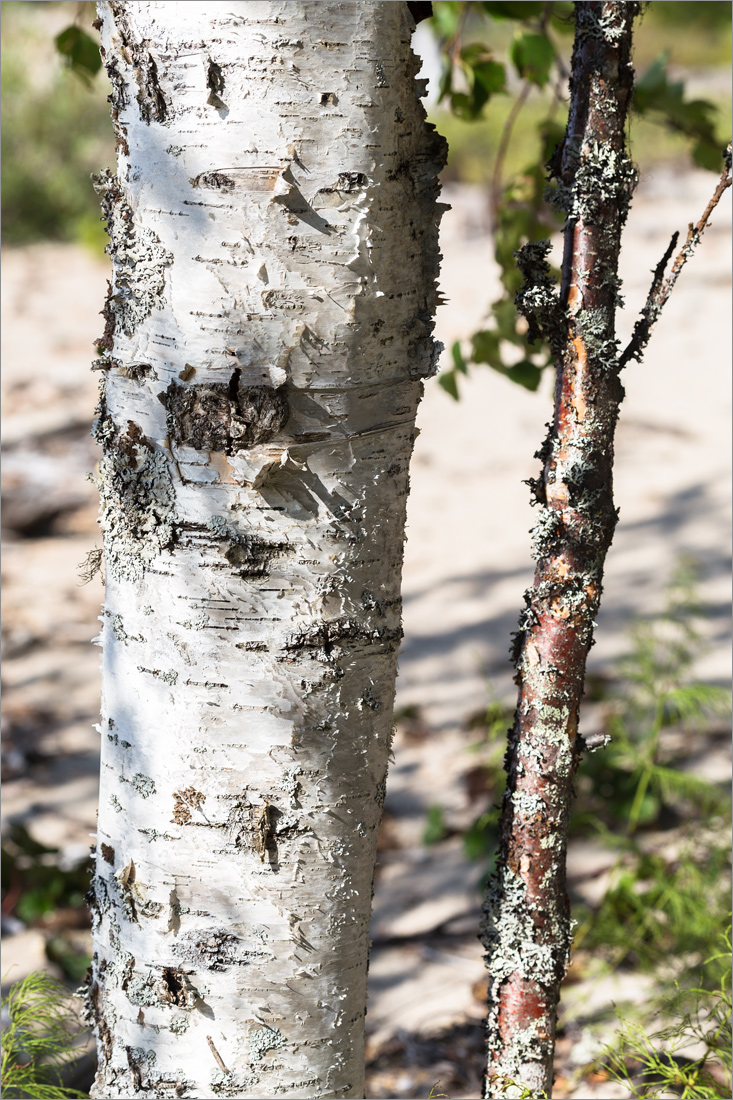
x=136 y=509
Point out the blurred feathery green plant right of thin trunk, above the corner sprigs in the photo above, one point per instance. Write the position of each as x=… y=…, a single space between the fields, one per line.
x=651 y=912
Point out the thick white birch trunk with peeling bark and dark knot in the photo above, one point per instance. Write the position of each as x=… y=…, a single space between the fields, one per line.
x=273 y=230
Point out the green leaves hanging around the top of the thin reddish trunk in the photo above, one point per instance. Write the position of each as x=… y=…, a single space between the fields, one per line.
x=521 y=214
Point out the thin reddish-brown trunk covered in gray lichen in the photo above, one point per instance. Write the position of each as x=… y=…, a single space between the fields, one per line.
x=528 y=928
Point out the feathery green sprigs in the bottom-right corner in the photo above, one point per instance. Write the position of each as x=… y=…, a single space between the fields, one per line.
x=662 y=1062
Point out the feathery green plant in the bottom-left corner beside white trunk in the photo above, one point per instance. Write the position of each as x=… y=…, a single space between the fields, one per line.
x=39 y=1027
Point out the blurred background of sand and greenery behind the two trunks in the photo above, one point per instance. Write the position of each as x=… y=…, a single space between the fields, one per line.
x=652 y=830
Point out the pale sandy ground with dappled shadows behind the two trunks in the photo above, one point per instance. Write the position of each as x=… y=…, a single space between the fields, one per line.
x=466 y=568
